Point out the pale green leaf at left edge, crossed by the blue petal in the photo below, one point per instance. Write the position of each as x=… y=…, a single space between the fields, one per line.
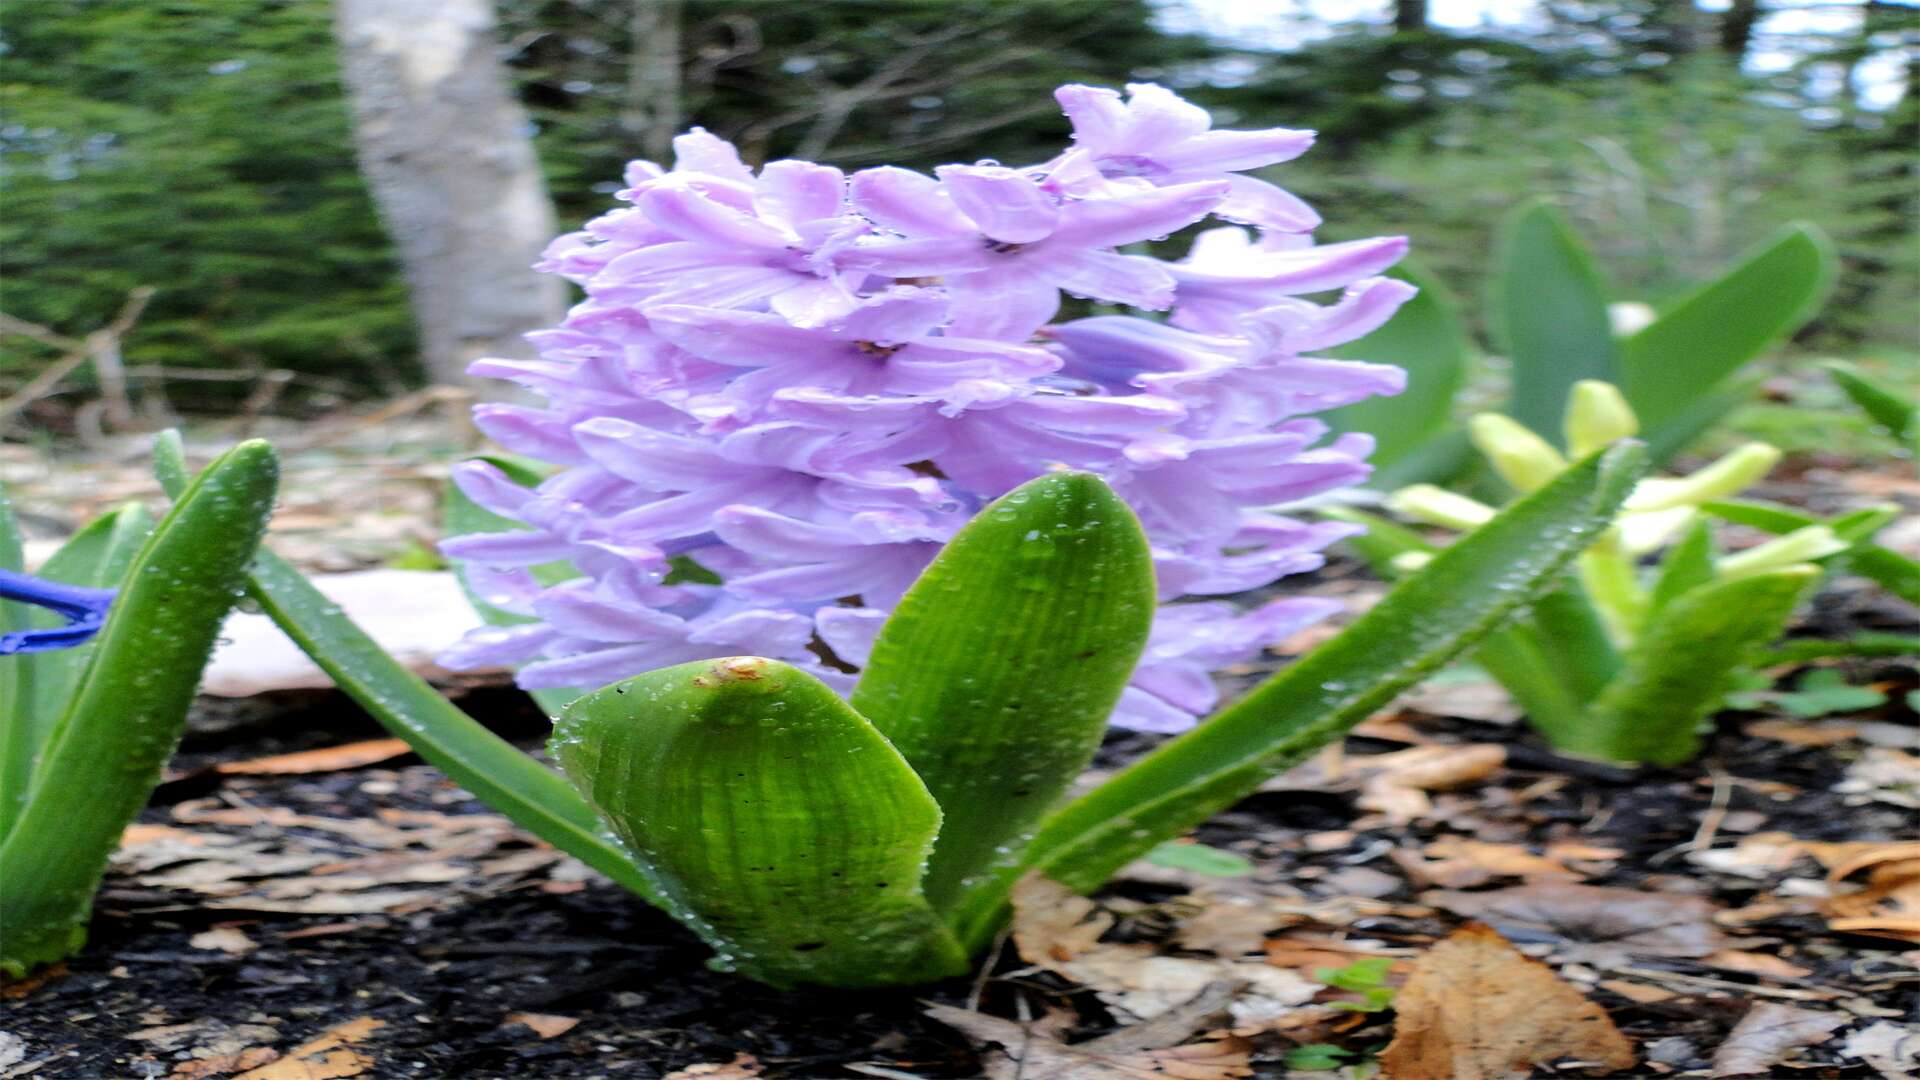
x=95 y=558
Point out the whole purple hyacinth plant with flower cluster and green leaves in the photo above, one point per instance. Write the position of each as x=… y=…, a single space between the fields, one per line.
x=861 y=506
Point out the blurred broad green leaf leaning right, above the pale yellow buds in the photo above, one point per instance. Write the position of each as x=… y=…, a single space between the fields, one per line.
x=1710 y=335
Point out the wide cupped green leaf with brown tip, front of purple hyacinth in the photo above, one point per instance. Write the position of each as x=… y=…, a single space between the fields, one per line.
x=788 y=829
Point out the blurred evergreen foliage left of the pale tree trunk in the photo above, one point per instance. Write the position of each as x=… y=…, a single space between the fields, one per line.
x=201 y=149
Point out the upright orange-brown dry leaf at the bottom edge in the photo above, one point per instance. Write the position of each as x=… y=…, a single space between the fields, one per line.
x=1477 y=1010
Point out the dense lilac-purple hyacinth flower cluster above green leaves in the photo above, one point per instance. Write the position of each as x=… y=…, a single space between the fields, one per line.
x=788 y=389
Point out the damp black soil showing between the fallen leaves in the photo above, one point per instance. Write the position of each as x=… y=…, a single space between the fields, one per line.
x=446 y=979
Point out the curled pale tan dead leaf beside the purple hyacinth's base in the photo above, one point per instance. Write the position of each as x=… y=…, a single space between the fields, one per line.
x=1061 y=933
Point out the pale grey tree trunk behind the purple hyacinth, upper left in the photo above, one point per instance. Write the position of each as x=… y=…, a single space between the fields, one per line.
x=446 y=151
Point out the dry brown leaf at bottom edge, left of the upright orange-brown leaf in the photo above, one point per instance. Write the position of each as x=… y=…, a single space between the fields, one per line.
x=1019 y=1052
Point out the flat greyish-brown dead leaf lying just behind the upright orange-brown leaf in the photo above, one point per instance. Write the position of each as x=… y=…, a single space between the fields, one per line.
x=1598 y=925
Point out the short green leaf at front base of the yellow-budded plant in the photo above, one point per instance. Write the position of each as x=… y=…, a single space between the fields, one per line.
x=1685 y=664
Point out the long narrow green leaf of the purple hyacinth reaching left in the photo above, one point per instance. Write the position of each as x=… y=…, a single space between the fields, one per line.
x=498 y=773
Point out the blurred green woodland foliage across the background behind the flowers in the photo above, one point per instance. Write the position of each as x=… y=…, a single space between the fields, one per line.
x=203 y=147
